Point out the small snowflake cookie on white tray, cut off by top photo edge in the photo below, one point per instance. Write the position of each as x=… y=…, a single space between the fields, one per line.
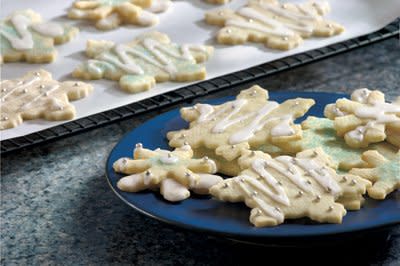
x=109 y=14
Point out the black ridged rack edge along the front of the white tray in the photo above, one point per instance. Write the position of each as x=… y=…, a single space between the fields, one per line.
x=196 y=90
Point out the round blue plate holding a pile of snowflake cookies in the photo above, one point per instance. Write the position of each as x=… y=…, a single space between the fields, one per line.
x=231 y=219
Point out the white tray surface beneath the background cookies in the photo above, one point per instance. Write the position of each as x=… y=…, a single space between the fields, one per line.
x=184 y=23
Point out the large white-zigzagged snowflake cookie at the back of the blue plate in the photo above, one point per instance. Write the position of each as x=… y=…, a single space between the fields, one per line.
x=247 y=122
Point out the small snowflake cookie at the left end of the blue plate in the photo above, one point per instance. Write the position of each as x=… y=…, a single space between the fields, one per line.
x=174 y=173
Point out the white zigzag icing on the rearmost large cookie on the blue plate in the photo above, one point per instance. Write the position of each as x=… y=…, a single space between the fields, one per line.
x=207 y=113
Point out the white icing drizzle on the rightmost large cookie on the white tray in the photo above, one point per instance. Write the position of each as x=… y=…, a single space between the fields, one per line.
x=277 y=20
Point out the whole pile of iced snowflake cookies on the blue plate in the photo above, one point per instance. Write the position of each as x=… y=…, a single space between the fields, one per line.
x=318 y=169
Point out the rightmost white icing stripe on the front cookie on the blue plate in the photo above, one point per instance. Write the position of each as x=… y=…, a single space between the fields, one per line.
x=321 y=174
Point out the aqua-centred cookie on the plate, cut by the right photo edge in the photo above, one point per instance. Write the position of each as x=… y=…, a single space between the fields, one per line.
x=384 y=173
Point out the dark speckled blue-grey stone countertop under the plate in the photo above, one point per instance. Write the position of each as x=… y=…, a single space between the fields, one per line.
x=57 y=208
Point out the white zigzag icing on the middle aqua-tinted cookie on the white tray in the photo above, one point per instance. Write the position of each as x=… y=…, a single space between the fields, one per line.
x=123 y=57
